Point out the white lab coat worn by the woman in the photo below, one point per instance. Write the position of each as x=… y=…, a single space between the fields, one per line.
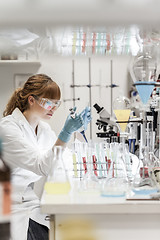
x=29 y=156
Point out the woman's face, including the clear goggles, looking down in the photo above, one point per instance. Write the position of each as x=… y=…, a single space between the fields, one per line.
x=43 y=108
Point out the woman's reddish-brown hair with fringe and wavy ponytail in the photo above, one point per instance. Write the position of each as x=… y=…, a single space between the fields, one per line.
x=39 y=85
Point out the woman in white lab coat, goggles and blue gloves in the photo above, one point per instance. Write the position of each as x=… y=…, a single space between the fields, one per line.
x=28 y=144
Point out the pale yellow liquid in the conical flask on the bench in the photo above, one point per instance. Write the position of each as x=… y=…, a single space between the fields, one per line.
x=57 y=188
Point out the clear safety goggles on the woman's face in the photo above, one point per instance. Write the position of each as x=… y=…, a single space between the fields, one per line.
x=48 y=104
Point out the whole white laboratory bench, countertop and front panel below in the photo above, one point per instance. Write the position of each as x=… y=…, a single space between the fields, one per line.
x=89 y=216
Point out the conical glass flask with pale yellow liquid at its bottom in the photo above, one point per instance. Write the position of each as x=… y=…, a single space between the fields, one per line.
x=58 y=181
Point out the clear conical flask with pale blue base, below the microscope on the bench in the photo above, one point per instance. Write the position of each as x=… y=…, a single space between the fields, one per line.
x=116 y=183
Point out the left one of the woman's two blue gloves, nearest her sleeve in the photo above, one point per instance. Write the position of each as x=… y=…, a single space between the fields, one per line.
x=71 y=125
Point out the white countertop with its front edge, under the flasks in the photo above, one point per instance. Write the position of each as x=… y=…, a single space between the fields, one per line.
x=95 y=204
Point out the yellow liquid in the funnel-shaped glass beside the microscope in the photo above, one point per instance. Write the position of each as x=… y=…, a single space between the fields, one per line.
x=122 y=115
